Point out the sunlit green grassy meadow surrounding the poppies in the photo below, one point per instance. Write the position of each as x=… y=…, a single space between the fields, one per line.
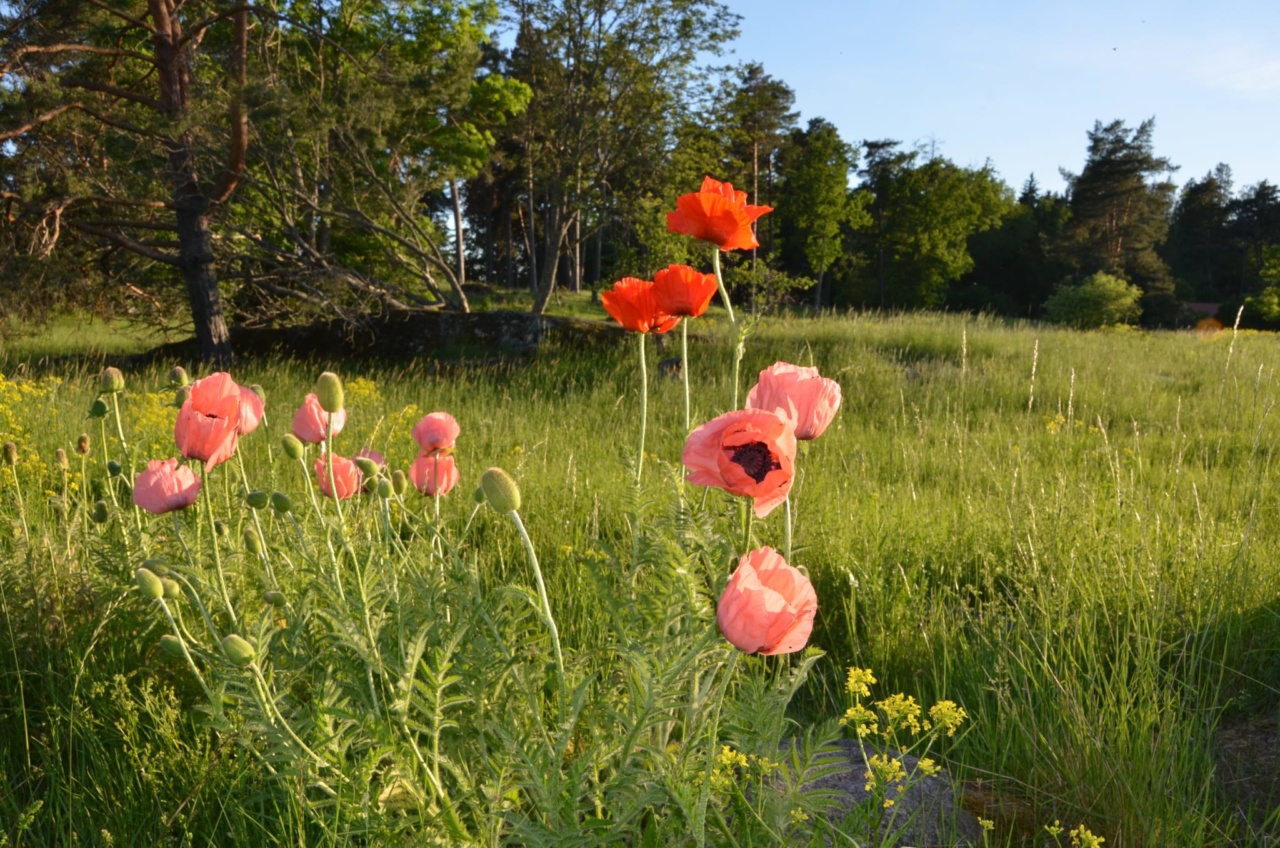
x=1072 y=536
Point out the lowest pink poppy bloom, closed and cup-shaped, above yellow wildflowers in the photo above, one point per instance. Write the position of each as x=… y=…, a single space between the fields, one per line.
x=769 y=607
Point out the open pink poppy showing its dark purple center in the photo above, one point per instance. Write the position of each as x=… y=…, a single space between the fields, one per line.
x=747 y=453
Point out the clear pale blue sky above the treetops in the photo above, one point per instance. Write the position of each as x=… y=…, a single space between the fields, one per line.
x=1021 y=84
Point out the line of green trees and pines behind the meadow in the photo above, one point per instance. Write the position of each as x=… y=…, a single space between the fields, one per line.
x=257 y=163
